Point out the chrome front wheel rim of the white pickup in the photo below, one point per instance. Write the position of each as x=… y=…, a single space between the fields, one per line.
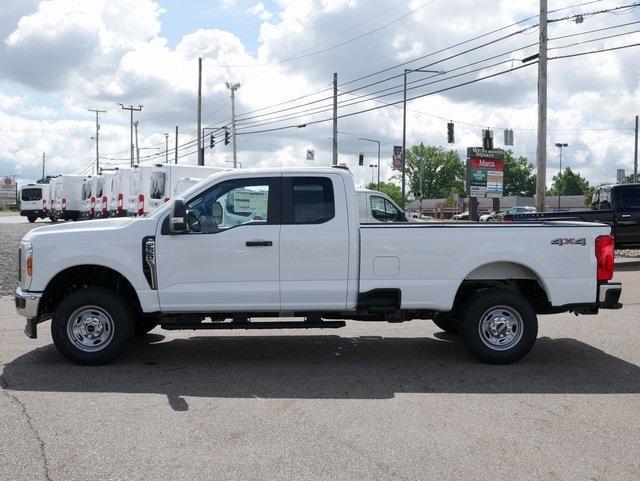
x=90 y=328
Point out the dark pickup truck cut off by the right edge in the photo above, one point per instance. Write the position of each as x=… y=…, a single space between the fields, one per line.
x=615 y=205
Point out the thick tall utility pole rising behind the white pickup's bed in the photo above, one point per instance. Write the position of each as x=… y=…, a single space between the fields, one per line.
x=541 y=160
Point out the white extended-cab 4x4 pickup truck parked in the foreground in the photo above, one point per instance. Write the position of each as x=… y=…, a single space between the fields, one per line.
x=252 y=244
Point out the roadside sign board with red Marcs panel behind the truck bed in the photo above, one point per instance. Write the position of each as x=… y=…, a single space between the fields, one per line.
x=485 y=172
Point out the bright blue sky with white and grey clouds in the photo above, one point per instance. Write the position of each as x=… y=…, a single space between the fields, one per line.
x=59 y=58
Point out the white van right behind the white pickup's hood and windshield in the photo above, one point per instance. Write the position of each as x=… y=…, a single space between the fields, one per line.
x=151 y=186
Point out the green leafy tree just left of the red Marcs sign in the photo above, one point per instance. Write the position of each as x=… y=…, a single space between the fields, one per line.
x=443 y=172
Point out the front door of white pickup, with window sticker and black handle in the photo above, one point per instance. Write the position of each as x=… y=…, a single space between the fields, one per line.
x=228 y=259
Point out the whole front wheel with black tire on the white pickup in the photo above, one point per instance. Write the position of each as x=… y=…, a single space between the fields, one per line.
x=98 y=303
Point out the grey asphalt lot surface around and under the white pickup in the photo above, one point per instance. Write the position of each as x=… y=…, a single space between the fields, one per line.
x=370 y=401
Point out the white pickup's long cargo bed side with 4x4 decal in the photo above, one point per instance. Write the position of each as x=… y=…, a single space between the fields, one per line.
x=431 y=260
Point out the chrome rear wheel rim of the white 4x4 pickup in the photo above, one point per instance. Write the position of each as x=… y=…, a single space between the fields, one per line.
x=500 y=328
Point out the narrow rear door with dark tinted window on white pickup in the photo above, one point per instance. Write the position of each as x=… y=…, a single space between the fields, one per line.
x=314 y=243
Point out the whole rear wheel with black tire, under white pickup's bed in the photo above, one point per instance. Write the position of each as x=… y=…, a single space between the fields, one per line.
x=516 y=326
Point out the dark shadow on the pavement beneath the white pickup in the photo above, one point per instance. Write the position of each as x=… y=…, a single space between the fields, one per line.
x=323 y=367
